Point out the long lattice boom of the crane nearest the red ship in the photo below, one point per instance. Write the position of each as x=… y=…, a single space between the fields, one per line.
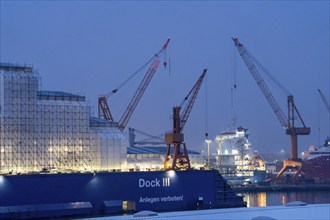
x=261 y=83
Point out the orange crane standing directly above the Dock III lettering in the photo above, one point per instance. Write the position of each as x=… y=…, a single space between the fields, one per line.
x=180 y=157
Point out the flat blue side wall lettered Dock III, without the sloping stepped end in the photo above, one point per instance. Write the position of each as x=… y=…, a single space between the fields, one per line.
x=159 y=190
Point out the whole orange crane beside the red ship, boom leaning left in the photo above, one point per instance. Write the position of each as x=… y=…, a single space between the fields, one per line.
x=287 y=123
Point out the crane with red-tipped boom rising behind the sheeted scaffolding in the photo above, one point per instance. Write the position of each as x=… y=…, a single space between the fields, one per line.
x=103 y=107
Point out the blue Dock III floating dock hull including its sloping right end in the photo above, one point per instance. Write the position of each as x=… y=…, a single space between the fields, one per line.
x=55 y=195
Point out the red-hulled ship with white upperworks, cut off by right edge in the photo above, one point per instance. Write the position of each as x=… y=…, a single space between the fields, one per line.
x=316 y=163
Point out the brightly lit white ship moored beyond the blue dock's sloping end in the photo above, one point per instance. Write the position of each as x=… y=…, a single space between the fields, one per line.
x=237 y=160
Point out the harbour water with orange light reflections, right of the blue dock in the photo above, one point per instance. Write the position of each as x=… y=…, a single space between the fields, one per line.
x=260 y=199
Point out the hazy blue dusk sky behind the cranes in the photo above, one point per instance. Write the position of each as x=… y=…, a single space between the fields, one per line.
x=91 y=47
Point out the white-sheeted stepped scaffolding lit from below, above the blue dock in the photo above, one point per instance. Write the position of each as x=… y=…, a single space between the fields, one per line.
x=46 y=131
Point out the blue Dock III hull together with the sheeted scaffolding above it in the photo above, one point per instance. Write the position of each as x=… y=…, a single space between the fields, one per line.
x=57 y=160
